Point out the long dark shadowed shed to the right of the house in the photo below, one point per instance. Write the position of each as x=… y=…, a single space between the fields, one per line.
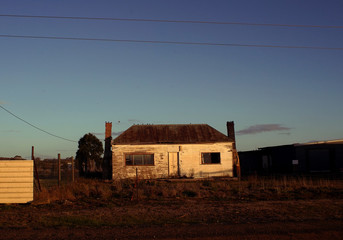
x=297 y=158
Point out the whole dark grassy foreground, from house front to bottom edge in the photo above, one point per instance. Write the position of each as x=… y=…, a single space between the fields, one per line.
x=253 y=208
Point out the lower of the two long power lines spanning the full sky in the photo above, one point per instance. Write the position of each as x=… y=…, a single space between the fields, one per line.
x=168 y=42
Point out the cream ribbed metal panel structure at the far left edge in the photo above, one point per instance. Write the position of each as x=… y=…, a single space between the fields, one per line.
x=16 y=181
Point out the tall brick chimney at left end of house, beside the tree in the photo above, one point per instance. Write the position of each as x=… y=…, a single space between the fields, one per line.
x=107 y=163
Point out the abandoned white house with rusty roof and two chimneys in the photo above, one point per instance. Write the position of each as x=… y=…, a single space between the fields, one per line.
x=166 y=151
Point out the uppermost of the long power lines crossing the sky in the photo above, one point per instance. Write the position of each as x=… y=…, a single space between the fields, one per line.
x=171 y=21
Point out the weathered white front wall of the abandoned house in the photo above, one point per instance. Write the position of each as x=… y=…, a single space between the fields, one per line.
x=189 y=158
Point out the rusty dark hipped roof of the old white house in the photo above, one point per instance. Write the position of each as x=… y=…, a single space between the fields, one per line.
x=176 y=133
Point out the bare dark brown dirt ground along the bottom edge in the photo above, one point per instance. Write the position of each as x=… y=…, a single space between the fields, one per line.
x=190 y=219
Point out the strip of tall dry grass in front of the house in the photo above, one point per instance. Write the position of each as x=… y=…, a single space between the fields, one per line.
x=251 y=189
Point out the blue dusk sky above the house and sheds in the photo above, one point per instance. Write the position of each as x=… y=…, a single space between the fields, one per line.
x=68 y=88
